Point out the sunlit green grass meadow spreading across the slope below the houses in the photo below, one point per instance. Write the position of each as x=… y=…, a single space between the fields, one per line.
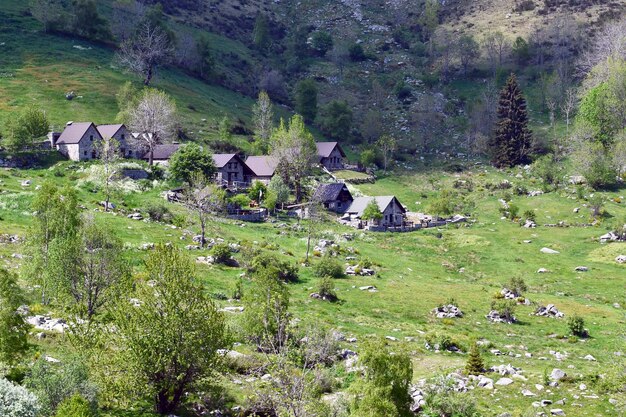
x=417 y=271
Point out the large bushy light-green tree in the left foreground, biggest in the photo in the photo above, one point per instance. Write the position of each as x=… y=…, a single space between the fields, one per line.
x=168 y=344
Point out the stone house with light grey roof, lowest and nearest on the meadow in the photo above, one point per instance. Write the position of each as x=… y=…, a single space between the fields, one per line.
x=394 y=214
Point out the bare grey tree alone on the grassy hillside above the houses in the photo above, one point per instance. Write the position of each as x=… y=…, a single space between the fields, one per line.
x=147 y=50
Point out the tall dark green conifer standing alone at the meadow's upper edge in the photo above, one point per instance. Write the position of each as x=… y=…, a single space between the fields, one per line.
x=512 y=140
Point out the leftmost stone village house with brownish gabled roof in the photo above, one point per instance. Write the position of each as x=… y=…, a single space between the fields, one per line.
x=78 y=142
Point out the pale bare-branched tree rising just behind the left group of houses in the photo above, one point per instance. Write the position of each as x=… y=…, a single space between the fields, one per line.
x=154 y=119
